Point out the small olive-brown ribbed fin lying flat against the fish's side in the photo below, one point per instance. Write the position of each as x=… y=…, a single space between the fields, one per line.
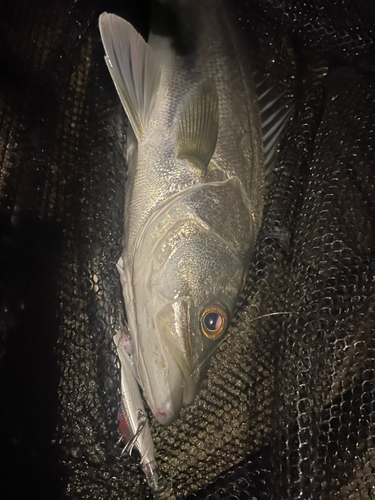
x=199 y=125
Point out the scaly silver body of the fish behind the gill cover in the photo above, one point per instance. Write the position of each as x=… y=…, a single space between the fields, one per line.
x=219 y=55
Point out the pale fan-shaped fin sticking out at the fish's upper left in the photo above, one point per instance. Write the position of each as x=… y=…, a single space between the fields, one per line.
x=133 y=69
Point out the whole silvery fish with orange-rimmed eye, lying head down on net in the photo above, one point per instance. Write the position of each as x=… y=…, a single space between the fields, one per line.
x=194 y=195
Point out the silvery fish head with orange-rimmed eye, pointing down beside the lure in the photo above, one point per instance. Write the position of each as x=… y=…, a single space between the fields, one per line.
x=191 y=287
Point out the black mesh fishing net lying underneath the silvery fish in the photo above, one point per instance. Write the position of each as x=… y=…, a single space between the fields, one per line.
x=286 y=410
